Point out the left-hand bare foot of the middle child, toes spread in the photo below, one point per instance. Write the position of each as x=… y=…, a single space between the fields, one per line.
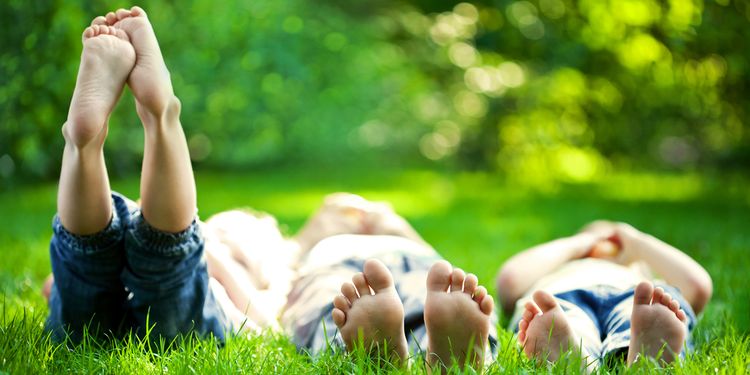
x=378 y=318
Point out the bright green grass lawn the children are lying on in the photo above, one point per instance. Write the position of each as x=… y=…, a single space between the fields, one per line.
x=476 y=221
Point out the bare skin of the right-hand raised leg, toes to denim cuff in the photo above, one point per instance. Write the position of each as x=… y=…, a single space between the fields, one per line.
x=168 y=196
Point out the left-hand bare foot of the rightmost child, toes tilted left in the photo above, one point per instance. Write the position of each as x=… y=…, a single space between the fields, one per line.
x=544 y=331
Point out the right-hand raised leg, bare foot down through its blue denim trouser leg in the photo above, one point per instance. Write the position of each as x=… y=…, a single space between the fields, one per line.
x=166 y=270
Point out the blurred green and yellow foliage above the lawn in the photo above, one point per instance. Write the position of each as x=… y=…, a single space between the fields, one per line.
x=553 y=88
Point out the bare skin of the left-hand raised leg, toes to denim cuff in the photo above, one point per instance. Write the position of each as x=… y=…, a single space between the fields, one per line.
x=84 y=201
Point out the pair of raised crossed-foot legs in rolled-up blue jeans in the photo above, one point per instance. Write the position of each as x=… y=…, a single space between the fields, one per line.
x=118 y=266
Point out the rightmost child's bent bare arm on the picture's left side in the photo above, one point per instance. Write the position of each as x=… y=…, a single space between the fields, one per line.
x=522 y=270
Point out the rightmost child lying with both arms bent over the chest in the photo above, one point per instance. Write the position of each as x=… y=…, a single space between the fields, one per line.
x=593 y=293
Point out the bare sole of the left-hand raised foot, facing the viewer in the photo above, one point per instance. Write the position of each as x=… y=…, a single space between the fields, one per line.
x=106 y=61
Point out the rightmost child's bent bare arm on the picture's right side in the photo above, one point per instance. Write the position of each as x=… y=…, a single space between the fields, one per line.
x=676 y=267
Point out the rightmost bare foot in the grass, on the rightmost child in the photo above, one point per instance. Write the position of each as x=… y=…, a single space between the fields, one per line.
x=657 y=326
